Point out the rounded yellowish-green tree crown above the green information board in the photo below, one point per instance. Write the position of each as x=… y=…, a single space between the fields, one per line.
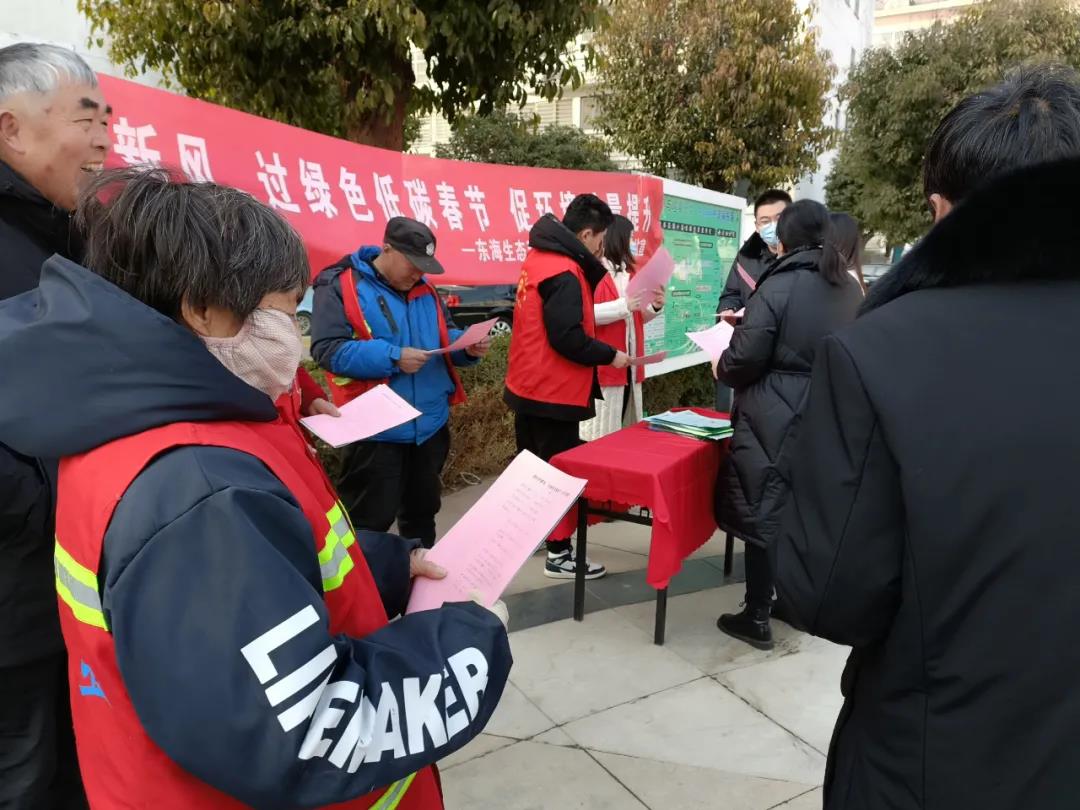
x=720 y=91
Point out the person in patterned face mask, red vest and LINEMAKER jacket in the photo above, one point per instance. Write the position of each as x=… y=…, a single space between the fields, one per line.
x=227 y=630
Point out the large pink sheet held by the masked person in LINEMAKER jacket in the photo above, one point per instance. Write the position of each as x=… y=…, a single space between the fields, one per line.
x=490 y=545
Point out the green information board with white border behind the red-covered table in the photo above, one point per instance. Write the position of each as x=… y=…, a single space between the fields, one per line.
x=704 y=237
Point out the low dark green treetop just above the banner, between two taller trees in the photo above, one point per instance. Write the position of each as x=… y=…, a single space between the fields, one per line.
x=505 y=138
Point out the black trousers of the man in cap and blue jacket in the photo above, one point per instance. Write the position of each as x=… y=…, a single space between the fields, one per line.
x=383 y=482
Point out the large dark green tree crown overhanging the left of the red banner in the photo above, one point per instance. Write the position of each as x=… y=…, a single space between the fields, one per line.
x=344 y=67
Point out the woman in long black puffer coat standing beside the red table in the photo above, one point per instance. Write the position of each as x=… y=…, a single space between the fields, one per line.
x=805 y=295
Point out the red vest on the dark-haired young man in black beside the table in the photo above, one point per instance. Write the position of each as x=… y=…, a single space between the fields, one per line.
x=536 y=371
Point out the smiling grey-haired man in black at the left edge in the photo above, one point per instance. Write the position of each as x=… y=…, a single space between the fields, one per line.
x=53 y=134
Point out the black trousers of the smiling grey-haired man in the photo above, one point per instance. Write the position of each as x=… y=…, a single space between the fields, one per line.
x=38 y=765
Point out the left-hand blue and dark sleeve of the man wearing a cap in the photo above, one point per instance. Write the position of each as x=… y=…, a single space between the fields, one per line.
x=333 y=346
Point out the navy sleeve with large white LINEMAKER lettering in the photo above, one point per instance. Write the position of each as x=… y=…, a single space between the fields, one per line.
x=212 y=590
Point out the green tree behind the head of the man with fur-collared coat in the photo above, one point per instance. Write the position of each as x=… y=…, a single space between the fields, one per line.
x=898 y=98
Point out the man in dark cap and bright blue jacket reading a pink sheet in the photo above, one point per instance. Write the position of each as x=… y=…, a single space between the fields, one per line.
x=383 y=333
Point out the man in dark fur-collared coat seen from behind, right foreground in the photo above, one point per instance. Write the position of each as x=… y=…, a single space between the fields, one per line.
x=934 y=522
